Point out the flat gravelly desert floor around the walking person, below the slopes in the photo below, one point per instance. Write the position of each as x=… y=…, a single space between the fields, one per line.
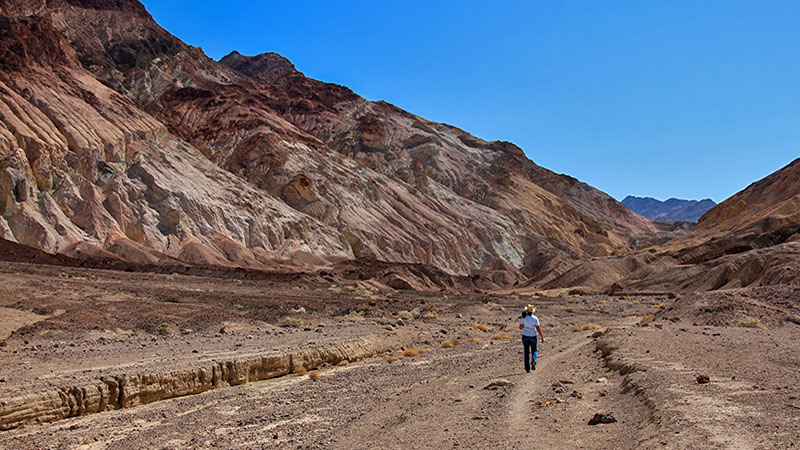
x=444 y=370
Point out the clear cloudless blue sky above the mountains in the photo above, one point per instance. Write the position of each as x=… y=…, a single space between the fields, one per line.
x=687 y=99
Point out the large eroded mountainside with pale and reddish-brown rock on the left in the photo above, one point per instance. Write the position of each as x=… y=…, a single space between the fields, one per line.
x=119 y=139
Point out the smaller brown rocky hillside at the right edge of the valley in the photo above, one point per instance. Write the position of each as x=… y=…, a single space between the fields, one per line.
x=750 y=239
